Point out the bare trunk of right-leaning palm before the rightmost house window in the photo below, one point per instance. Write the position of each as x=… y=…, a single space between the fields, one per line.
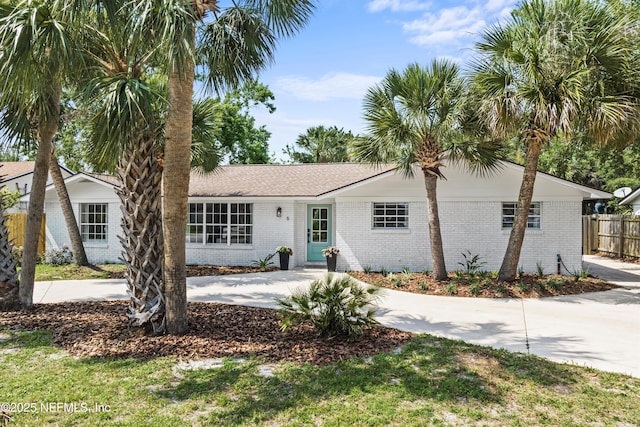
x=509 y=267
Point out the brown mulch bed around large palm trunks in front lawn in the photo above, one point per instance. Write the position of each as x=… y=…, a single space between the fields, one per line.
x=101 y=329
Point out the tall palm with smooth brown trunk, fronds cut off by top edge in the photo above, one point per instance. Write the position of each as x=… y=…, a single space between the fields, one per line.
x=234 y=43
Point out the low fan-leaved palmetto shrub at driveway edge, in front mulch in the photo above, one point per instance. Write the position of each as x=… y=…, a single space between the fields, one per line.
x=336 y=305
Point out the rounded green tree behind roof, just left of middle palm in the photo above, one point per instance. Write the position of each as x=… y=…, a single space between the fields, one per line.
x=320 y=145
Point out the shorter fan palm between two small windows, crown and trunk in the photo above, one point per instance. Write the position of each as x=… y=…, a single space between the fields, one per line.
x=414 y=117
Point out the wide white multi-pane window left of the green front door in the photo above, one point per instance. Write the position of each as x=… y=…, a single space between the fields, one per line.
x=226 y=223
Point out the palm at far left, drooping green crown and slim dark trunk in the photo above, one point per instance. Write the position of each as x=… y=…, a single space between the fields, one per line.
x=36 y=50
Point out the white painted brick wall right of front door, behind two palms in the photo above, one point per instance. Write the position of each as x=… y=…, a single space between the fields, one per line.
x=466 y=226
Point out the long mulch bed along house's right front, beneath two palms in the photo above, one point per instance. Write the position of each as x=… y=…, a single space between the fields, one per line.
x=485 y=285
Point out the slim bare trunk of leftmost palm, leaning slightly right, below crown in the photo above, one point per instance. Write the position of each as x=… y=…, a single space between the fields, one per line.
x=47 y=130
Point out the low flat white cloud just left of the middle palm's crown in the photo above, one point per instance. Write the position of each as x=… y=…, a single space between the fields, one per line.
x=330 y=86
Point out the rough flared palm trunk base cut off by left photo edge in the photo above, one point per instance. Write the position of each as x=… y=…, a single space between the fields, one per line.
x=9 y=283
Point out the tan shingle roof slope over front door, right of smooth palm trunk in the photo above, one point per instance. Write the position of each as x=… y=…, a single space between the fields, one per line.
x=305 y=180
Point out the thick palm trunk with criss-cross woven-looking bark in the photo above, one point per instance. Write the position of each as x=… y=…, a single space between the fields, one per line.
x=141 y=177
